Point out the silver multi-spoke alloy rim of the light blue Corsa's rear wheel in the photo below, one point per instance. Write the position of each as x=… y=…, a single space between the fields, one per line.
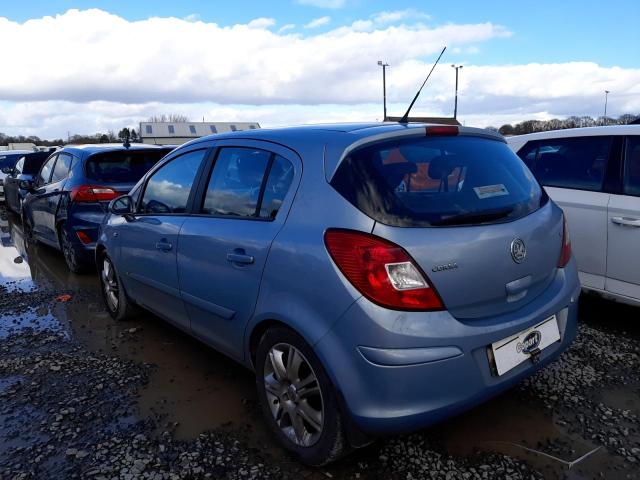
x=294 y=395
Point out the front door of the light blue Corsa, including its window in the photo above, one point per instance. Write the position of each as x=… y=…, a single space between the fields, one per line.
x=148 y=241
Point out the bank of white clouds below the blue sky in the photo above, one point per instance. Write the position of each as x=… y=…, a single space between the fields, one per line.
x=248 y=72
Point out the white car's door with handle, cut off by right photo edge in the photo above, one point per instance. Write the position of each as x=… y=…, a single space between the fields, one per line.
x=623 y=260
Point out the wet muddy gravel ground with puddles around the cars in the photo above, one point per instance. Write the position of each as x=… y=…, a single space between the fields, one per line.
x=84 y=397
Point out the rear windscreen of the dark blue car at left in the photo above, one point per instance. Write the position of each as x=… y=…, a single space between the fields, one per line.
x=122 y=166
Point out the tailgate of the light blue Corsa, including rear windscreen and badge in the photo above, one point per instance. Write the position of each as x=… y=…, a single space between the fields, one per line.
x=467 y=210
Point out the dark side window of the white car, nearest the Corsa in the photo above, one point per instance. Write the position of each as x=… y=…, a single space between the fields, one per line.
x=577 y=163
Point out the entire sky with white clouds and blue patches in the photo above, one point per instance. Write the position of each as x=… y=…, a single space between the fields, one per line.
x=88 y=67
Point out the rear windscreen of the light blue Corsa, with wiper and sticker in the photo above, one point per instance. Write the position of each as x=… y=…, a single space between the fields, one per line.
x=439 y=181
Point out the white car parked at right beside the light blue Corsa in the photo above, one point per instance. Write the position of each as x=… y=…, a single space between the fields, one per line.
x=594 y=175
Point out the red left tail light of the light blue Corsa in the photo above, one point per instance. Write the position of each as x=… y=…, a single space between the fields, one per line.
x=382 y=271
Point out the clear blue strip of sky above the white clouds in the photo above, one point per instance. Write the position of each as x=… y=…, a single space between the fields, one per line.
x=607 y=32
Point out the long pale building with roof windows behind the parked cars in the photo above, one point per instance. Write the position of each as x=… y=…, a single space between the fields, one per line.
x=175 y=133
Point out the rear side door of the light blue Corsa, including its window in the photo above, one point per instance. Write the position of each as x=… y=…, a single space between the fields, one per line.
x=223 y=247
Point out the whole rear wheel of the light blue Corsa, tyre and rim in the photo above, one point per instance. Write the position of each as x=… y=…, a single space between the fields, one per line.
x=298 y=400
